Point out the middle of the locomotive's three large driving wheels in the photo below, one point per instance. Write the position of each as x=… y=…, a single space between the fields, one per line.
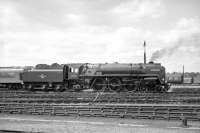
x=115 y=84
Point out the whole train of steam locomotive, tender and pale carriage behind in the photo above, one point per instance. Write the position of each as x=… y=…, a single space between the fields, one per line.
x=98 y=77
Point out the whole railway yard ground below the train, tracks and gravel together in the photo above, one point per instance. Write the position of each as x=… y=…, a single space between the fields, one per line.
x=168 y=107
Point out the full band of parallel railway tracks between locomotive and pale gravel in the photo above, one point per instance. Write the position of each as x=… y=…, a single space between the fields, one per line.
x=124 y=105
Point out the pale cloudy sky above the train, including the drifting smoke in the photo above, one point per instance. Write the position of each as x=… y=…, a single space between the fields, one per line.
x=98 y=31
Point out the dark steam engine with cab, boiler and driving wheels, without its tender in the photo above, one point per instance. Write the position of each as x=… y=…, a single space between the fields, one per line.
x=118 y=76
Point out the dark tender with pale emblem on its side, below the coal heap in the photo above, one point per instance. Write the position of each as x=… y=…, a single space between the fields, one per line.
x=43 y=79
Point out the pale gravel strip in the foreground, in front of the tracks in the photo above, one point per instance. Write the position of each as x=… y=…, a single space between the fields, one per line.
x=63 y=124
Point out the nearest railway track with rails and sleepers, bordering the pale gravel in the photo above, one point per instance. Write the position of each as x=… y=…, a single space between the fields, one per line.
x=135 y=111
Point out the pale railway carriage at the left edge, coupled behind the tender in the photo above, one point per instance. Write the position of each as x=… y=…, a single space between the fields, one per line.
x=10 y=78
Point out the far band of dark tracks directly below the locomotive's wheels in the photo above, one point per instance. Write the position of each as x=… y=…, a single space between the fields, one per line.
x=167 y=98
